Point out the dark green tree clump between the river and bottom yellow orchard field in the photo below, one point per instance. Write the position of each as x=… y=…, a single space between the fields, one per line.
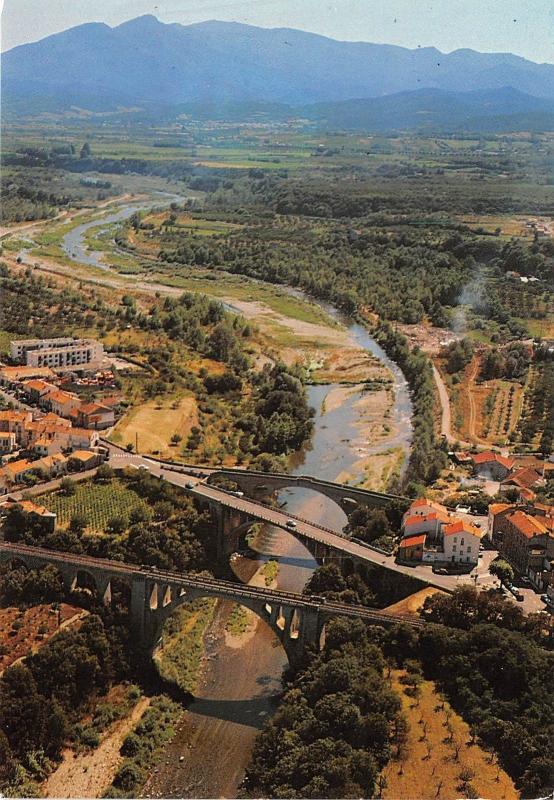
x=335 y=727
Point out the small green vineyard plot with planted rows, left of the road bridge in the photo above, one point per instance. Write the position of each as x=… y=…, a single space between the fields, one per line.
x=97 y=503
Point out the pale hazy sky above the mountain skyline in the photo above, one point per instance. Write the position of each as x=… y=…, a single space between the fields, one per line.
x=525 y=27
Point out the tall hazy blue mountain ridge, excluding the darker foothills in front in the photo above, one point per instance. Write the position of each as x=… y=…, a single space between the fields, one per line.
x=147 y=61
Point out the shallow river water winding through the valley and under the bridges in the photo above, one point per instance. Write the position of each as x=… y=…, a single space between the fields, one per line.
x=241 y=684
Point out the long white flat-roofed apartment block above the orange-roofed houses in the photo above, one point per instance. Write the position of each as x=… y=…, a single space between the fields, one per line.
x=62 y=354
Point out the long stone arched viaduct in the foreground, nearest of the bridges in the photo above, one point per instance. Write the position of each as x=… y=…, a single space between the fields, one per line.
x=297 y=620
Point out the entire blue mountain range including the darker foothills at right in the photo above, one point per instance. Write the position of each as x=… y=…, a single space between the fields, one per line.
x=145 y=63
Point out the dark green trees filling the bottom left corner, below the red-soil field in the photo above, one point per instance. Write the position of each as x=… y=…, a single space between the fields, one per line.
x=43 y=700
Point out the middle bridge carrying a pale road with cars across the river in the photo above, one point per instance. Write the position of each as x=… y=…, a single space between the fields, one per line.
x=232 y=514
